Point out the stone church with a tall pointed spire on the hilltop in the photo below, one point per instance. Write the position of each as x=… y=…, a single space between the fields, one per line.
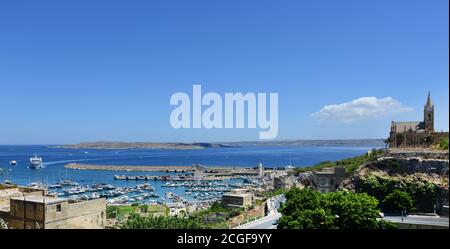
x=416 y=134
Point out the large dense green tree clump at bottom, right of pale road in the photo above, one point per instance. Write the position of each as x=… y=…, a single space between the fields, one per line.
x=308 y=209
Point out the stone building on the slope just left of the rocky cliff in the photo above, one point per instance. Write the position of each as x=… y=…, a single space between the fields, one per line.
x=329 y=179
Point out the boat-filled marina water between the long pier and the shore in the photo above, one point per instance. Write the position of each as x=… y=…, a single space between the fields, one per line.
x=144 y=193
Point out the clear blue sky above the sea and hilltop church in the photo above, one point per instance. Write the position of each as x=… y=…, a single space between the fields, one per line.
x=73 y=71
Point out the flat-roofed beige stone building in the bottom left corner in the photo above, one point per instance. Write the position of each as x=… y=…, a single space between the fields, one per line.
x=25 y=208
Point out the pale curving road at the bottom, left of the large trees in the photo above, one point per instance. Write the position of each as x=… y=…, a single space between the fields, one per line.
x=269 y=221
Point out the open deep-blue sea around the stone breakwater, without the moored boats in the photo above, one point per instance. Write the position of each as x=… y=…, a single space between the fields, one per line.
x=246 y=156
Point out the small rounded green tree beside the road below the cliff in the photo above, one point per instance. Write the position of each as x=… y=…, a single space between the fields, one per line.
x=397 y=201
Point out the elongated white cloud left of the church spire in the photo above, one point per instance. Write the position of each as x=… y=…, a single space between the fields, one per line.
x=362 y=108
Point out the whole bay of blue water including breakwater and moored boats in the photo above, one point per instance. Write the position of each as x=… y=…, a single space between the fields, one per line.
x=119 y=175
